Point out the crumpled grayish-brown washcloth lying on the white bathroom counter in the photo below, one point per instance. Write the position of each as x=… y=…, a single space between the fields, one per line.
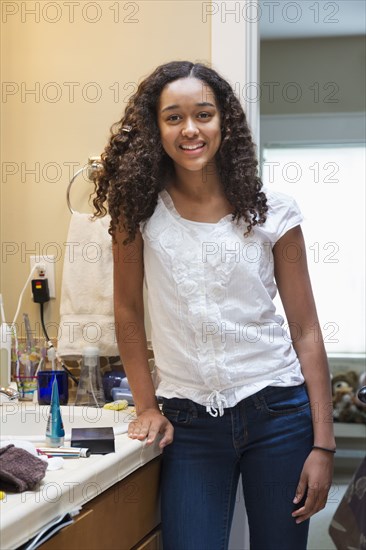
x=19 y=470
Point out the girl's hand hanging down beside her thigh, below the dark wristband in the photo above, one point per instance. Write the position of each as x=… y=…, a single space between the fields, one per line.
x=315 y=480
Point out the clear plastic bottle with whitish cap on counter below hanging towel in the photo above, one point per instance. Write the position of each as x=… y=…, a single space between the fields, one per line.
x=90 y=392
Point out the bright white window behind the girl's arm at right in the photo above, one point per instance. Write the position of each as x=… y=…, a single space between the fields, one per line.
x=328 y=182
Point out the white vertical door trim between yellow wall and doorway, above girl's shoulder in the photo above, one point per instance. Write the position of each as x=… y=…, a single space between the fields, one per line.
x=235 y=52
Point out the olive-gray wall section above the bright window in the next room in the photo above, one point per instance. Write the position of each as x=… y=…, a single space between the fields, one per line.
x=328 y=72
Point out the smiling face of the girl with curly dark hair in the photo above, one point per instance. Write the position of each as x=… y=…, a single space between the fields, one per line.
x=189 y=123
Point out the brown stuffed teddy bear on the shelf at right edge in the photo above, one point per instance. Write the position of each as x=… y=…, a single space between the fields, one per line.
x=346 y=405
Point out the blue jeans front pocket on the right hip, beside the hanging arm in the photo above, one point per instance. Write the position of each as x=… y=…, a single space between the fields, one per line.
x=280 y=401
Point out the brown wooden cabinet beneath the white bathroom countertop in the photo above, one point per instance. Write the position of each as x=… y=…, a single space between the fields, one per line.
x=124 y=517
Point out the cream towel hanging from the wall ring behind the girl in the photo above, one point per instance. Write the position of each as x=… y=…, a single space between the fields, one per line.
x=86 y=311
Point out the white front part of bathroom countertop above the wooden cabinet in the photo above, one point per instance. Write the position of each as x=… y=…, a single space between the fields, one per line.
x=23 y=515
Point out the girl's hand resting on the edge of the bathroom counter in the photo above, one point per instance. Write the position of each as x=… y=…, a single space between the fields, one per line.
x=148 y=425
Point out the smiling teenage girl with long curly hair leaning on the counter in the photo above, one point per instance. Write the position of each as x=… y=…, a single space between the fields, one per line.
x=240 y=394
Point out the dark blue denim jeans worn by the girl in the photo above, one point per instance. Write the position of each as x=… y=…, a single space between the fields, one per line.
x=266 y=437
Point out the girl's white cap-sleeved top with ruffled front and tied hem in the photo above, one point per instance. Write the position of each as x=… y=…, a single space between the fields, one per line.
x=215 y=333
